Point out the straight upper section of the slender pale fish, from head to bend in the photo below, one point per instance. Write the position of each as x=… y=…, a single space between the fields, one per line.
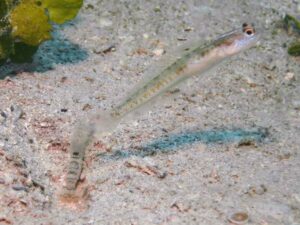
x=194 y=60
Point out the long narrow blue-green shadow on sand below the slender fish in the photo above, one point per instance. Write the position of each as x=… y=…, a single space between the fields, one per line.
x=175 y=142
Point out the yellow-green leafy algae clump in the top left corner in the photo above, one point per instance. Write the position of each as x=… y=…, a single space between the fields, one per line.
x=26 y=24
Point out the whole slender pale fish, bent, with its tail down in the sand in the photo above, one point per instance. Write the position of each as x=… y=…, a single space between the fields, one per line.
x=193 y=61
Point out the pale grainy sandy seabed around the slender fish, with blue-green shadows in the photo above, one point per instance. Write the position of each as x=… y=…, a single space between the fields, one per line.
x=223 y=143
